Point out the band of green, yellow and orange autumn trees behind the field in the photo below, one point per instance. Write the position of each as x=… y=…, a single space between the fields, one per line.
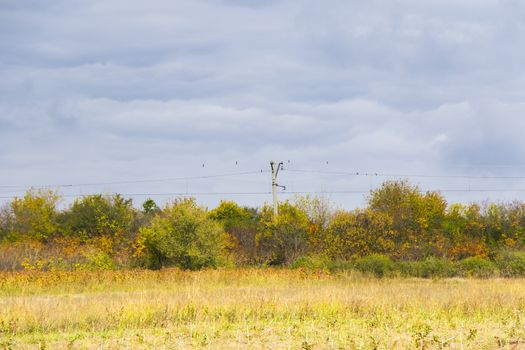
x=399 y=224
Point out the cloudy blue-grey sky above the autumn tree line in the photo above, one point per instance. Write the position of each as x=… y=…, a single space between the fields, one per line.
x=113 y=95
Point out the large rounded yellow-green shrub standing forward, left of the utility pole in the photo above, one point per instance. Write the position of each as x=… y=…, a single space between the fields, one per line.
x=182 y=236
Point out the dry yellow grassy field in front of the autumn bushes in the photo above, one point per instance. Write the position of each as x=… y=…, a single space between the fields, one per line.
x=257 y=308
